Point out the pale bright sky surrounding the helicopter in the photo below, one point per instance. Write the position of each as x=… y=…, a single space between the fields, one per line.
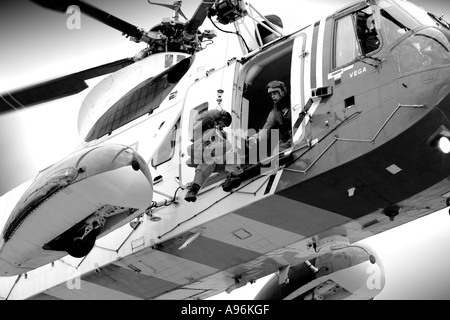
x=38 y=45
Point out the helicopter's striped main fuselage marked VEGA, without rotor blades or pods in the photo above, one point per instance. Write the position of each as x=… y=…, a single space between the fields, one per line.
x=366 y=113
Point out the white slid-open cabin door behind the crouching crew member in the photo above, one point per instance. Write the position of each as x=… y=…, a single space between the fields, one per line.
x=202 y=96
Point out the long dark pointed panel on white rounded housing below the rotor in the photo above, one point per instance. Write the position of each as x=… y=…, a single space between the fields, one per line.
x=141 y=100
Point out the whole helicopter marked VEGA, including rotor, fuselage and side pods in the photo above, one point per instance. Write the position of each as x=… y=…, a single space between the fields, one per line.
x=365 y=117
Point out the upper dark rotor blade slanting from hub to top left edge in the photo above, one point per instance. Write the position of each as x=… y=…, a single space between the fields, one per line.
x=100 y=15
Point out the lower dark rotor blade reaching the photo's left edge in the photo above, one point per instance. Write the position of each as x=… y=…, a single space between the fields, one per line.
x=56 y=88
